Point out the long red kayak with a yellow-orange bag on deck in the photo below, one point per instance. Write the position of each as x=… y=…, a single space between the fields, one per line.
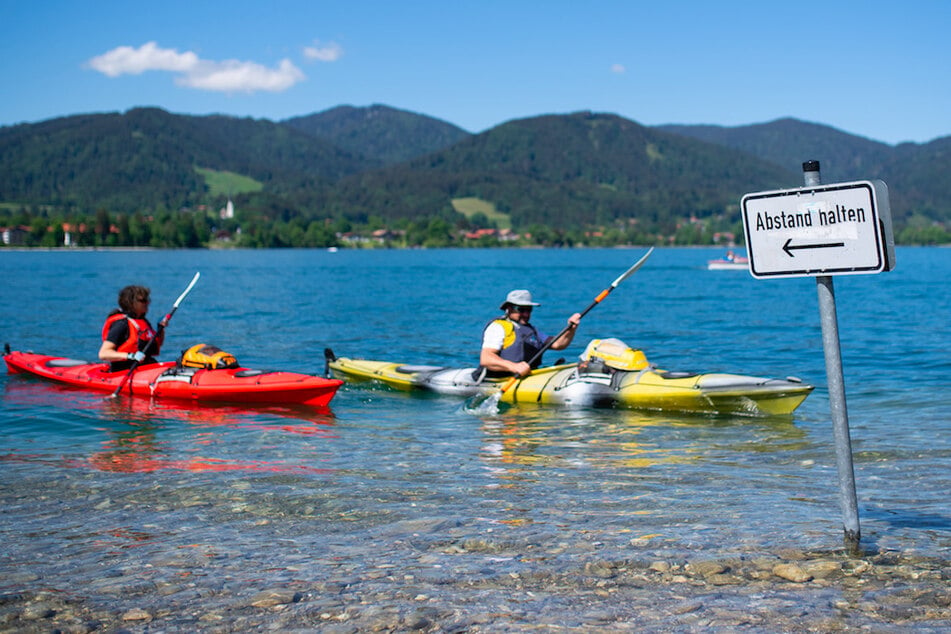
x=169 y=380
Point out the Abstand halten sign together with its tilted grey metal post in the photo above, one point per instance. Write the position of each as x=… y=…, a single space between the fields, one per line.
x=822 y=231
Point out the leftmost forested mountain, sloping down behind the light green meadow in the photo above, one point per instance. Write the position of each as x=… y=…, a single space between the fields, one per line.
x=147 y=159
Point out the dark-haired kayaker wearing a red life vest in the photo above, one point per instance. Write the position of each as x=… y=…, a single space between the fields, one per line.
x=127 y=332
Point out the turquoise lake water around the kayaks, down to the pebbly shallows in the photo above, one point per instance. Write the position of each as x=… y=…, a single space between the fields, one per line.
x=379 y=476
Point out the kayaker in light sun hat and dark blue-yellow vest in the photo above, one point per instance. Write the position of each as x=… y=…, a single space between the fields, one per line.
x=510 y=341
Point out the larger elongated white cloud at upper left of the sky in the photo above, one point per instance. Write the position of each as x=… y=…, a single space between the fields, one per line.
x=225 y=76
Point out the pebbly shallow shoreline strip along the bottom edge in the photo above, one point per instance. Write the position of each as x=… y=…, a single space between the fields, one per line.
x=881 y=592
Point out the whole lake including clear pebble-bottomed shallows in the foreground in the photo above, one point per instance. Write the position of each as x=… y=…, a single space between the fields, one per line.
x=402 y=512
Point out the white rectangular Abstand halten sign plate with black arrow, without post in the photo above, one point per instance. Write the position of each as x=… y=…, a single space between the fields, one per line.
x=837 y=229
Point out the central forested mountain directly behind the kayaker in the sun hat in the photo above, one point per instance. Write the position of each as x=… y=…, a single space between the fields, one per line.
x=581 y=169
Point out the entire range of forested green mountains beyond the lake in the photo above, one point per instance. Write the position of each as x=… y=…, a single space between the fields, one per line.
x=581 y=171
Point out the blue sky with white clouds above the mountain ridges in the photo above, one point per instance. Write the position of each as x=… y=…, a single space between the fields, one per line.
x=875 y=69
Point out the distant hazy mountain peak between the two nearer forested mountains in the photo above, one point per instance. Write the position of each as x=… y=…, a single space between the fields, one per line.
x=380 y=132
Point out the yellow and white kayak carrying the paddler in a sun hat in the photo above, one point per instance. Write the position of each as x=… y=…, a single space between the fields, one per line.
x=593 y=383
